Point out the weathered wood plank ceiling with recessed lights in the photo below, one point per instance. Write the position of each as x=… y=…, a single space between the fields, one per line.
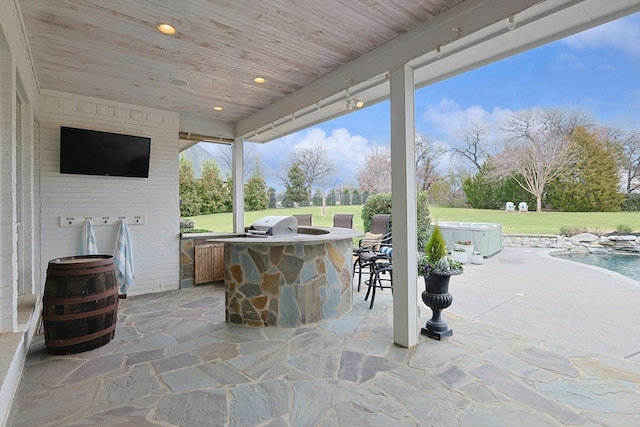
x=111 y=49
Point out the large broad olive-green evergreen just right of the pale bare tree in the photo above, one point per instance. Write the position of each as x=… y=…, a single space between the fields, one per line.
x=592 y=183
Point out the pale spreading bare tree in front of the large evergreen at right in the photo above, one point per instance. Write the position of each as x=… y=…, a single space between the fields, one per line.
x=537 y=148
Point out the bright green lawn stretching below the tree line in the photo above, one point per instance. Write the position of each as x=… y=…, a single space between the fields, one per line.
x=512 y=222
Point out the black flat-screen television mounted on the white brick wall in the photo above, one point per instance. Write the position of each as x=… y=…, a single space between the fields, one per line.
x=90 y=152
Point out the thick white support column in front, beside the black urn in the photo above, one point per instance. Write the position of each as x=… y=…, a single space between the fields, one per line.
x=404 y=218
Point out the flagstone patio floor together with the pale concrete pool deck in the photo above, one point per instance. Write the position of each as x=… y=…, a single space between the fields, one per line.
x=174 y=361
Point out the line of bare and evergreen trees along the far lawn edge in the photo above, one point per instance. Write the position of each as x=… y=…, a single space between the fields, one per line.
x=548 y=158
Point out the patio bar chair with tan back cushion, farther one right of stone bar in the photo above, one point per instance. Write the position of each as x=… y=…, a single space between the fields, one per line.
x=365 y=252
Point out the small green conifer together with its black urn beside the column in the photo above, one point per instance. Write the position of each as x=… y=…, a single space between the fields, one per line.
x=437 y=268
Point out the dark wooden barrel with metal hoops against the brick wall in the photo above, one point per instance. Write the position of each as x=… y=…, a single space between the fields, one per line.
x=80 y=303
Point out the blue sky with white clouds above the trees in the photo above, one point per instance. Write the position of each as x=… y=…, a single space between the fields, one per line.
x=596 y=72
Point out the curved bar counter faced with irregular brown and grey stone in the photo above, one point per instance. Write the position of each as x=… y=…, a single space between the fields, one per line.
x=290 y=280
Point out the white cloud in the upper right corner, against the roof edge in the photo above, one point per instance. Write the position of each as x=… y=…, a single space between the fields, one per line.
x=622 y=34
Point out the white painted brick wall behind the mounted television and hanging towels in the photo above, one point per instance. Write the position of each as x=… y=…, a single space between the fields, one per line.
x=156 y=243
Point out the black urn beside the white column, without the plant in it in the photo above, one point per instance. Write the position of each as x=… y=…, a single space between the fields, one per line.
x=437 y=297
